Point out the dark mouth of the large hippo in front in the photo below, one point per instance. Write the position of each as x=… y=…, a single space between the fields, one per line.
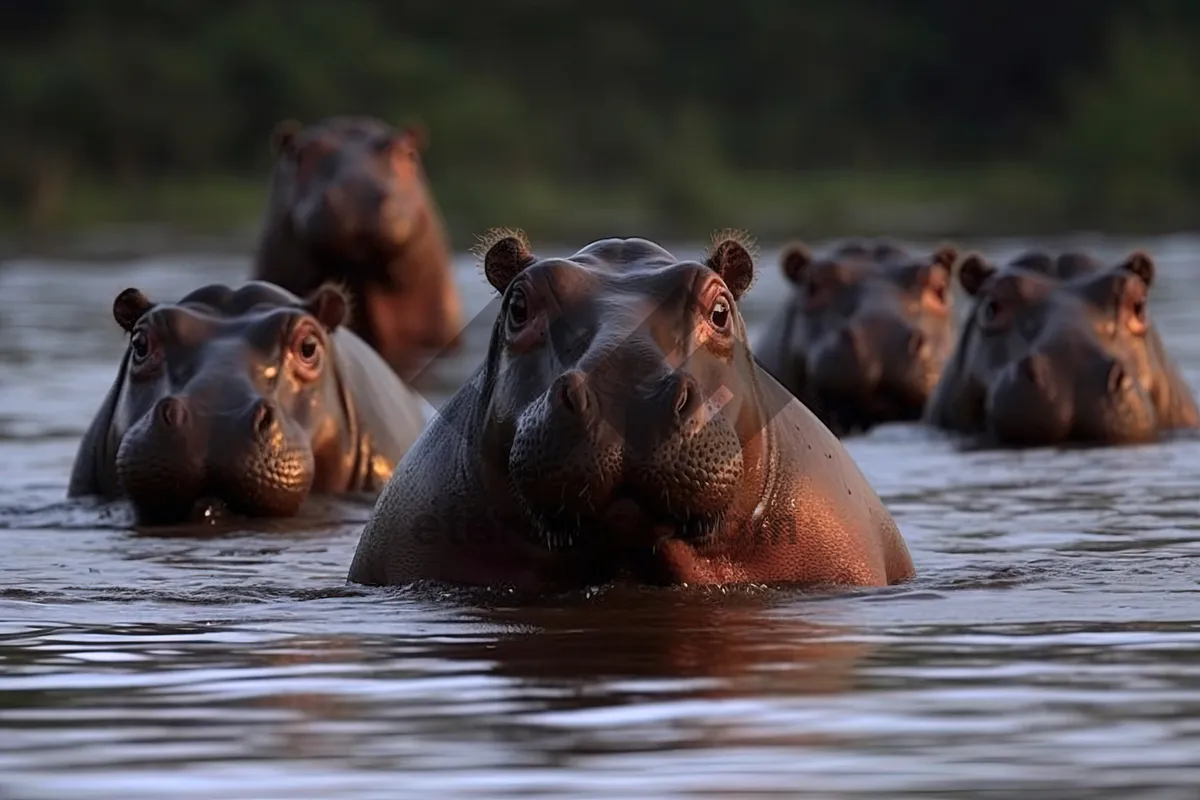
x=626 y=522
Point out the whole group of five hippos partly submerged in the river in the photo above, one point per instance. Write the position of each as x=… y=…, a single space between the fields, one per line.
x=621 y=426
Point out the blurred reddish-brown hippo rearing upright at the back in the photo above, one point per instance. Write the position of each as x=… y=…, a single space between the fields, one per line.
x=350 y=202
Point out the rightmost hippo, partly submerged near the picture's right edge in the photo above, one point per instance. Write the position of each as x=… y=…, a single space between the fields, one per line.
x=1059 y=351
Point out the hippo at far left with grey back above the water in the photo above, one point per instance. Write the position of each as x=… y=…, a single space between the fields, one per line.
x=251 y=396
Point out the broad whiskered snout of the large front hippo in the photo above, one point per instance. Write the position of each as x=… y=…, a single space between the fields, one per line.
x=589 y=448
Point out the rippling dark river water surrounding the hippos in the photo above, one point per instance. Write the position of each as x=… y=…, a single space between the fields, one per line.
x=1051 y=646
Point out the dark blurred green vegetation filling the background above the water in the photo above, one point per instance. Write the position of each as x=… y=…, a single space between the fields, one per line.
x=569 y=119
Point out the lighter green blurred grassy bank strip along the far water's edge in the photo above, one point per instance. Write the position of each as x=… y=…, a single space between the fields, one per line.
x=221 y=215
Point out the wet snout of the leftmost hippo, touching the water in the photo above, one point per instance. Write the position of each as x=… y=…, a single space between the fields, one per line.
x=183 y=450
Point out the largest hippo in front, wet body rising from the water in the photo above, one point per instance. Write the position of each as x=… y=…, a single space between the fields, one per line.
x=620 y=431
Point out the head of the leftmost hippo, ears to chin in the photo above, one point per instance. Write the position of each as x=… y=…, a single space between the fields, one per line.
x=229 y=395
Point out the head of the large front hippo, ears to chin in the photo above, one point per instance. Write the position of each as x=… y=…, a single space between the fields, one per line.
x=620 y=389
